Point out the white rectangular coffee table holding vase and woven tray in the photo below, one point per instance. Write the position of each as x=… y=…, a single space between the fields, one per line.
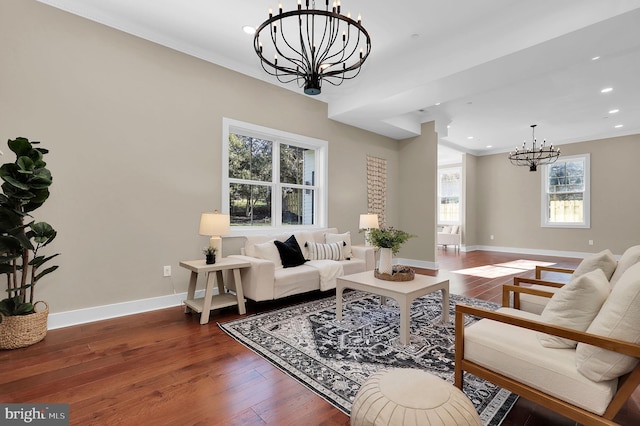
x=404 y=292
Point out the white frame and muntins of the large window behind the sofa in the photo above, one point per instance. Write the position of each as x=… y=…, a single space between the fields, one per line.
x=321 y=148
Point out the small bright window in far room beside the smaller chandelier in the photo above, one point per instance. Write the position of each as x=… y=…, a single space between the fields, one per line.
x=566 y=193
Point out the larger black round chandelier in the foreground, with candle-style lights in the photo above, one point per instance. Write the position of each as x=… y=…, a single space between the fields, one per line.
x=309 y=46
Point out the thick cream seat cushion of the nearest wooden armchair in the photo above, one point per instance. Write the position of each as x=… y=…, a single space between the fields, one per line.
x=516 y=353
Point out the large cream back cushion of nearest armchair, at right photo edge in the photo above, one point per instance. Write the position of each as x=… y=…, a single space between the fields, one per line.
x=619 y=319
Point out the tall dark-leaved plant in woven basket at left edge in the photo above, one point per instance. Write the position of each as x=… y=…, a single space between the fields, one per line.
x=25 y=188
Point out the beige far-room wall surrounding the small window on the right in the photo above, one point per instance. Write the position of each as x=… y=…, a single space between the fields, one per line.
x=509 y=206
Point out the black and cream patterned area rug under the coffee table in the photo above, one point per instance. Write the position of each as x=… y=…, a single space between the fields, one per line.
x=334 y=358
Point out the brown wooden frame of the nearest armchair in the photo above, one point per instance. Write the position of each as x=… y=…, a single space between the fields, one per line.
x=626 y=384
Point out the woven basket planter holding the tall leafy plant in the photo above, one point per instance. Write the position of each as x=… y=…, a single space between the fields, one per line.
x=23 y=330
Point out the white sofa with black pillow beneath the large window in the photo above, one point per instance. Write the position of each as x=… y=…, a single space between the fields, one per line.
x=267 y=279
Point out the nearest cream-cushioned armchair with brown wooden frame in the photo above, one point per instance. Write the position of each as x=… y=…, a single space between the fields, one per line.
x=580 y=357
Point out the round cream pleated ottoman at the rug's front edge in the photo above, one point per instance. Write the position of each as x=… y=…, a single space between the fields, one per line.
x=406 y=396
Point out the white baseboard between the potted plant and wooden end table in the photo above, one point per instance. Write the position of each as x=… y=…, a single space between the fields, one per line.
x=99 y=313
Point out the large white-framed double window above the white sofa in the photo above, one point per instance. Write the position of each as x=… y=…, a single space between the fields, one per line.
x=271 y=178
